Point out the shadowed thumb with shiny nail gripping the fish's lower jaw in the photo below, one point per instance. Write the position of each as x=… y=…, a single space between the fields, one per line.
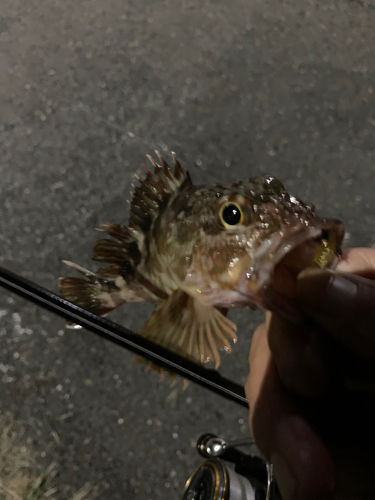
x=343 y=304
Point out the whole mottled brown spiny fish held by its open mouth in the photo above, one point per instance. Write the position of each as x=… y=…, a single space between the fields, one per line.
x=198 y=251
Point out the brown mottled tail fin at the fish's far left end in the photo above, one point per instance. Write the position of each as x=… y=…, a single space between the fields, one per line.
x=92 y=292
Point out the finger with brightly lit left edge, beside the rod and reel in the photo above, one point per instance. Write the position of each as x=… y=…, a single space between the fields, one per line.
x=302 y=465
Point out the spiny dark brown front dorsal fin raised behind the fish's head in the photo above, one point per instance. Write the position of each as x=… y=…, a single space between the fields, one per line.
x=155 y=191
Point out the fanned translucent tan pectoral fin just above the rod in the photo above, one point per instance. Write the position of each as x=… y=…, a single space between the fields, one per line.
x=184 y=325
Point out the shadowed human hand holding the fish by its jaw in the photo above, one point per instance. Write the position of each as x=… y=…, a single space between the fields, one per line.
x=311 y=385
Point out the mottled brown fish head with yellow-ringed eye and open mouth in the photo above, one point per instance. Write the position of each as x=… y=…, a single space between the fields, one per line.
x=255 y=239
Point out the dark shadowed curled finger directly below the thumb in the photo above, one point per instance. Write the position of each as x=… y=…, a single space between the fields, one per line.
x=308 y=365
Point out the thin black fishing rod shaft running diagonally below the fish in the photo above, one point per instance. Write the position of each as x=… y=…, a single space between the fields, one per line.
x=210 y=379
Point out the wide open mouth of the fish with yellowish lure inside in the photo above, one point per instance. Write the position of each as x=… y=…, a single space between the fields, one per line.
x=283 y=256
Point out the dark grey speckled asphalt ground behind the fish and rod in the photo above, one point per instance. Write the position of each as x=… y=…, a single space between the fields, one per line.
x=86 y=89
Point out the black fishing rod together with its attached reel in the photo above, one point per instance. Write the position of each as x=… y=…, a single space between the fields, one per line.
x=228 y=474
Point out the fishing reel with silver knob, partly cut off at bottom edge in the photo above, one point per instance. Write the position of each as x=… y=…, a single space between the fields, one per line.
x=230 y=474
